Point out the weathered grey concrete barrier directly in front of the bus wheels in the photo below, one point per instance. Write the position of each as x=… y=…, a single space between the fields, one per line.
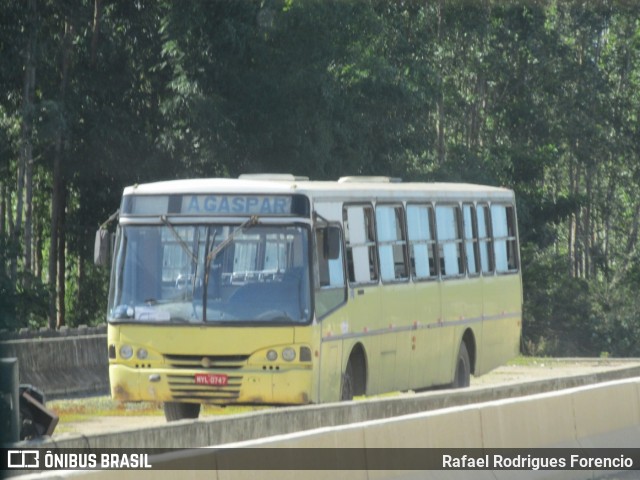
x=234 y=428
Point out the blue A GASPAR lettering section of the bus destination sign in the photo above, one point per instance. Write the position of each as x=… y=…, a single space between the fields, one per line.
x=236 y=204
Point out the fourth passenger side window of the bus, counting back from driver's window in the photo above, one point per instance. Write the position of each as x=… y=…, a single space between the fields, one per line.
x=450 y=240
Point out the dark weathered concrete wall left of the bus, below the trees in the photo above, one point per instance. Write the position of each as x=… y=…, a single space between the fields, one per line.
x=62 y=366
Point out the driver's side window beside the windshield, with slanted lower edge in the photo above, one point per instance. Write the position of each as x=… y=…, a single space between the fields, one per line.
x=330 y=291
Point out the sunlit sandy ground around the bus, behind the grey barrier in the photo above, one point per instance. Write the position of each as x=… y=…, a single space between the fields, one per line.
x=512 y=373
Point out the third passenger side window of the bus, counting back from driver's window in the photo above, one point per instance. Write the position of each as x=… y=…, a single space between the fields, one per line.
x=422 y=243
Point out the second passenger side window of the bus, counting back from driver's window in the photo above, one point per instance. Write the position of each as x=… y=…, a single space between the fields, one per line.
x=391 y=242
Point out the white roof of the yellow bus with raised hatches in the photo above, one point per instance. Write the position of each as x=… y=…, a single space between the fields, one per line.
x=347 y=189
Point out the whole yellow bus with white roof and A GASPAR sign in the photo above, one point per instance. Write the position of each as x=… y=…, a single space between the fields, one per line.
x=274 y=290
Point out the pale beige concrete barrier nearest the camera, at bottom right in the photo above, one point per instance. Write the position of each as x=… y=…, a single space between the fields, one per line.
x=581 y=417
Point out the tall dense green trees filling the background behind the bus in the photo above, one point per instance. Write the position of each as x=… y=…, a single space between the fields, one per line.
x=541 y=97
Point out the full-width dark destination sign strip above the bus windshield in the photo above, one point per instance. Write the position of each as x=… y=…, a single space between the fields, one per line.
x=218 y=204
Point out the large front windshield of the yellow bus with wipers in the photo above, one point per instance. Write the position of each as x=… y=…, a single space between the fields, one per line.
x=176 y=273
